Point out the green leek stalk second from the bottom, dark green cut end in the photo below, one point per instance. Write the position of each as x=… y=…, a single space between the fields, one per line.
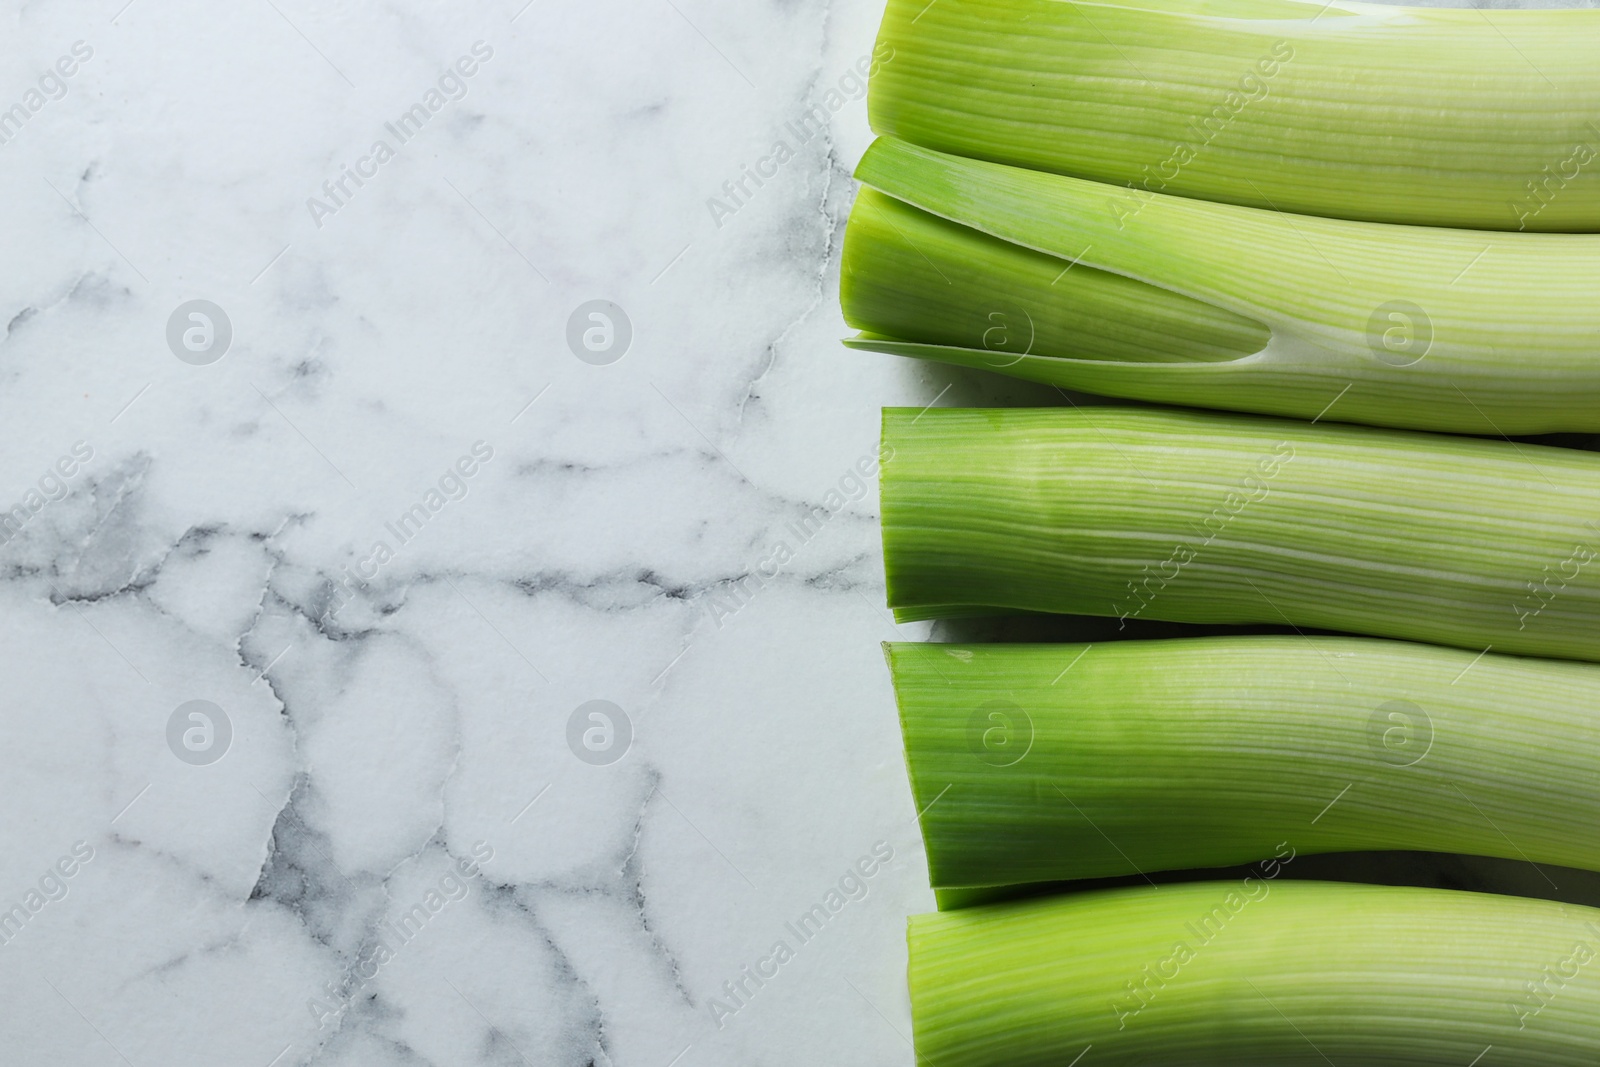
x=1062 y=762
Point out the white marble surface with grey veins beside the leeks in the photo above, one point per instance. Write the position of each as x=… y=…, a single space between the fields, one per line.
x=594 y=556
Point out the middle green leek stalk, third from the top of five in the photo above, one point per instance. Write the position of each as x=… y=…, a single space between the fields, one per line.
x=1230 y=519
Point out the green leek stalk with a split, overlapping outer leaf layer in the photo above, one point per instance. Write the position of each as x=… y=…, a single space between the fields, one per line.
x=1209 y=305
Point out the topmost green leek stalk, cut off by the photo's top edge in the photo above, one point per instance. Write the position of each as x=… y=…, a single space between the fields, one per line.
x=1366 y=111
